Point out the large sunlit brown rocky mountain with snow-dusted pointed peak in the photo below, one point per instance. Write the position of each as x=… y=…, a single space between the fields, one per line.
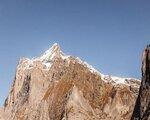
x=56 y=86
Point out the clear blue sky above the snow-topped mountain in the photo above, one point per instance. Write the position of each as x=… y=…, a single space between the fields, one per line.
x=108 y=34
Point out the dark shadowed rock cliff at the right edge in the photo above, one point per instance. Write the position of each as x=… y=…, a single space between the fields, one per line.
x=142 y=106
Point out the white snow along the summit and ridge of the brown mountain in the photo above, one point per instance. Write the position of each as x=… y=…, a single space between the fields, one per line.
x=54 y=51
